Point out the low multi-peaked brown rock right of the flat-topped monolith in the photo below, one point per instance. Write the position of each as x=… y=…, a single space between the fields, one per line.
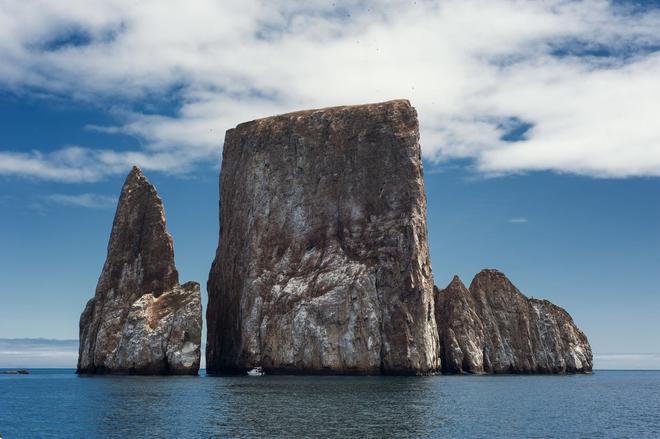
x=494 y=328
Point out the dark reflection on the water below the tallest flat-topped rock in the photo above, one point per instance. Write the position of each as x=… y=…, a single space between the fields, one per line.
x=324 y=406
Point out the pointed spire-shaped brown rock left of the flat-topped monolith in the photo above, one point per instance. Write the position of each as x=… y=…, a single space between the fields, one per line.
x=141 y=320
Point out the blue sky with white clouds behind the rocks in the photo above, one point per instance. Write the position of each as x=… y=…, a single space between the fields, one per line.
x=539 y=134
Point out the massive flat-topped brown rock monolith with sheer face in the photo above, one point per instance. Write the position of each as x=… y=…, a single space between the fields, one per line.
x=323 y=264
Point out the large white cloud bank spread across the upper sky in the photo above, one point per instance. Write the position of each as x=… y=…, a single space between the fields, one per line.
x=514 y=86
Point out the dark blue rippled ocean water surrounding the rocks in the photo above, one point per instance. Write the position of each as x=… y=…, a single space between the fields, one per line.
x=57 y=403
